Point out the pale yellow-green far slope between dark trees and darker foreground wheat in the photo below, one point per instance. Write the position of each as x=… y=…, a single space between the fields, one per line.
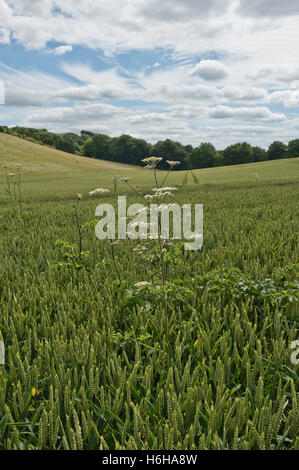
x=50 y=173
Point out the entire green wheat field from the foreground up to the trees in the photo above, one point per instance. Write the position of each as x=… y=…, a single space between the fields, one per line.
x=96 y=360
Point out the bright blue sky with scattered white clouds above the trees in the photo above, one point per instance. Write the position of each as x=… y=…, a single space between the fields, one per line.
x=219 y=71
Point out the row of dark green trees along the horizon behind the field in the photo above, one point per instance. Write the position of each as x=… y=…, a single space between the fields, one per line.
x=129 y=150
